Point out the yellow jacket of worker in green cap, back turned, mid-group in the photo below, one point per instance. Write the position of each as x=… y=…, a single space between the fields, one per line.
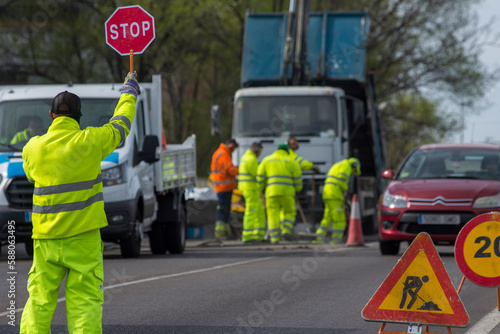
x=279 y=175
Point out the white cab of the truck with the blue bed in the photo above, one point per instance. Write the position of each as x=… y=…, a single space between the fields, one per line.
x=314 y=115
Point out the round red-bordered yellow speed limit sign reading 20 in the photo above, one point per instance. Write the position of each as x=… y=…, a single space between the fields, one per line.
x=477 y=250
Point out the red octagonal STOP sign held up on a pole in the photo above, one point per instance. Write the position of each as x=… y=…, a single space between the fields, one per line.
x=130 y=28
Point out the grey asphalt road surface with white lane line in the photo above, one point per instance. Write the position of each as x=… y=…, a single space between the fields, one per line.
x=289 y=288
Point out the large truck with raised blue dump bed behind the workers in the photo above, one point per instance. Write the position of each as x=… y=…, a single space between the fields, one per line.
x=304 y=75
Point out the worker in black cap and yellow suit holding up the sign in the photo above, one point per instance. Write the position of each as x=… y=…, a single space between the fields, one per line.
x=68 y=211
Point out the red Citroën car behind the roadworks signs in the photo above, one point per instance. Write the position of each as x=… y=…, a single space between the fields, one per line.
x=438 y=189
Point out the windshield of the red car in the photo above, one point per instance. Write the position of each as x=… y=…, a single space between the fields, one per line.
x=451 y=163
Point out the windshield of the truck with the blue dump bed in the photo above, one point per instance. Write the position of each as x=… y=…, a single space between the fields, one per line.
x=261 y=116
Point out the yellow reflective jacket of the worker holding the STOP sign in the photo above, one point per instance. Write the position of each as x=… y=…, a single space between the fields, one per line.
x=65 y=165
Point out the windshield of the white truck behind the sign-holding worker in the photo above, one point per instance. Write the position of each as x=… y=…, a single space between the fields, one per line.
x=20 y=120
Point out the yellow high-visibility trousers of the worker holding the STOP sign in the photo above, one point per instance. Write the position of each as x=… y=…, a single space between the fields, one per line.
x=79 y=258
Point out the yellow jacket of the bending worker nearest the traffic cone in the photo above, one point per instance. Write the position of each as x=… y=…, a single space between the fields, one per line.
x=337 y=180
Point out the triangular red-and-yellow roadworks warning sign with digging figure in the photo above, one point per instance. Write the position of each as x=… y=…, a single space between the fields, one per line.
x=418 y=290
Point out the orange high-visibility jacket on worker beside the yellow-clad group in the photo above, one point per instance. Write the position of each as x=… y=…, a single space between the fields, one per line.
x=223 y=172
